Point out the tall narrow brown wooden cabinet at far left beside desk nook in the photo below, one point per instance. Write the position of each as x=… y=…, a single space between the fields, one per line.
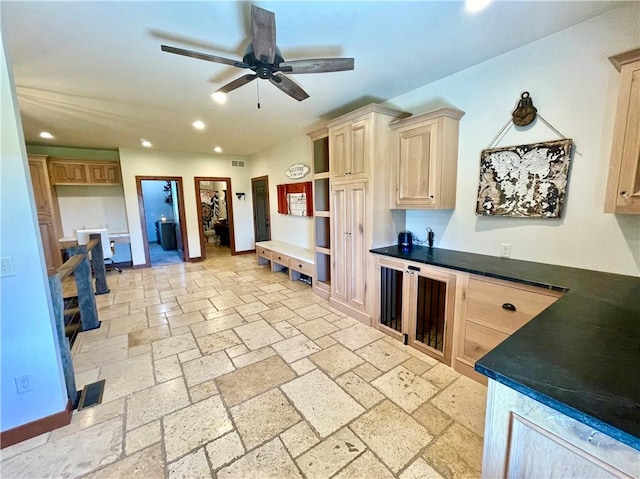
x=47 y=210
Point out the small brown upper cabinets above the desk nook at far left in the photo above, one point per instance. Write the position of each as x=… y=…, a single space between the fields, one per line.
x=78 y=172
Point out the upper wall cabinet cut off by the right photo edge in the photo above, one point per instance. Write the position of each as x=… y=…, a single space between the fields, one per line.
x=623 y=186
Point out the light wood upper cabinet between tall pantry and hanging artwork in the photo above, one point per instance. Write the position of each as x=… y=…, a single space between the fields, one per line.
x=426 y=160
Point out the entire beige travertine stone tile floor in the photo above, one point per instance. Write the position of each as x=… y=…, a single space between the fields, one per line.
x=224 y=369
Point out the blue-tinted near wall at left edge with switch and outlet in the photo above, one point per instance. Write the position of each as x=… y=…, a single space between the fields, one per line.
x=28 y=344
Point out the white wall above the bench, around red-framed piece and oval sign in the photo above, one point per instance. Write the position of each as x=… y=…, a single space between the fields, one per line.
x=296 y=230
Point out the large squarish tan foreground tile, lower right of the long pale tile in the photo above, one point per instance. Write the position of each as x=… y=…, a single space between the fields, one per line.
x=391 y=434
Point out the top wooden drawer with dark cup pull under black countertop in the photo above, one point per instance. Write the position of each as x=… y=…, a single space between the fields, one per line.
x=505 y=306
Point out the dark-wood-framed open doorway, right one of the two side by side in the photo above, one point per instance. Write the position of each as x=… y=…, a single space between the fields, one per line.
x=215 y=216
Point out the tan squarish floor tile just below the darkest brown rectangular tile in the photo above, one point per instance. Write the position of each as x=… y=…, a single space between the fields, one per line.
x=263 y=417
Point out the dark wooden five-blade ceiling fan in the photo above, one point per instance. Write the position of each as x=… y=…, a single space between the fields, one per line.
x=263 y=57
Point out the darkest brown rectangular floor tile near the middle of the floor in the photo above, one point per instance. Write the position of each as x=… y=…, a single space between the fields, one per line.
x=252 y=380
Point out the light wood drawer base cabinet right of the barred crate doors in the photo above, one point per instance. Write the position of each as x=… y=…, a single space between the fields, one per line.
x=490 y=311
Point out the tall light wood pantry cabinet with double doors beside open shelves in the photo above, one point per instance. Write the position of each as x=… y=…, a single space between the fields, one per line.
x=360 y=163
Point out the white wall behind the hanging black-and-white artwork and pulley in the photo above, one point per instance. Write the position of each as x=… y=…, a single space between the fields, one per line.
x=574 y=87
